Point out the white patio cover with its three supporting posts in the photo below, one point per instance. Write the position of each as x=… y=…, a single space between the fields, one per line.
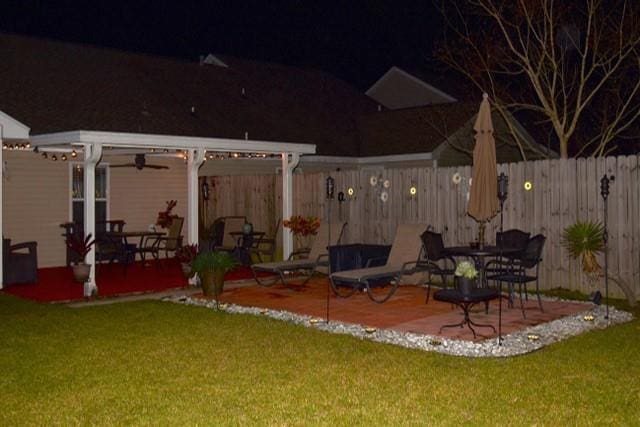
x=93 y=142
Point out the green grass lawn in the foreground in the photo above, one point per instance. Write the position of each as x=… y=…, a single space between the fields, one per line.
x=160 y=363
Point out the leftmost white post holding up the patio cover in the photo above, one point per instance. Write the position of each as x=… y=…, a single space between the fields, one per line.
x=92 y=155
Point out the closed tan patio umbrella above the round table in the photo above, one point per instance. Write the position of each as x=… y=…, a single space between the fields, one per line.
x=483 y=199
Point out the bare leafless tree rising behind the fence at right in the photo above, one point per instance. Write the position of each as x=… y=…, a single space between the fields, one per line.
x=573 y=65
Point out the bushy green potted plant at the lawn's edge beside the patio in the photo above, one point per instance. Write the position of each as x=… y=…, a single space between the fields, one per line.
x=211 y=266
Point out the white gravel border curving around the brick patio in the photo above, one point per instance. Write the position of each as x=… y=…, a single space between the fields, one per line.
x=514 y=344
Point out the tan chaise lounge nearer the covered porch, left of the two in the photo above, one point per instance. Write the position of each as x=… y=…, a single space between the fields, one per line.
x=317 y=260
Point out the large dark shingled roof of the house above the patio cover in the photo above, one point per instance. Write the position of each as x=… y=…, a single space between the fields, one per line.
x=54 y=87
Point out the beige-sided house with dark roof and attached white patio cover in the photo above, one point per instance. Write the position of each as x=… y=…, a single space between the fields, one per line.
x=71 y=110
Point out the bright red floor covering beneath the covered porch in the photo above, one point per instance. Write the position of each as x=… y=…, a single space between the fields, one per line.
x=57 y=283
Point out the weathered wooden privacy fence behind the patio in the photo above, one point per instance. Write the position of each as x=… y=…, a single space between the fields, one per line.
x=562 y=192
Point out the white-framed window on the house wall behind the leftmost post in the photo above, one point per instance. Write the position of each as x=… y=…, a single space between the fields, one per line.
x=77 y=193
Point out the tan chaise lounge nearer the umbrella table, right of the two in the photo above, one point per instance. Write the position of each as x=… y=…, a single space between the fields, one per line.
x=403 y=258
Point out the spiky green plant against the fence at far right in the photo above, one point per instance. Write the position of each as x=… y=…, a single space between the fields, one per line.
x=585 y=240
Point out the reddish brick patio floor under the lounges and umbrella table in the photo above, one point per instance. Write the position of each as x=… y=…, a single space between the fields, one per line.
x=406 y=311
